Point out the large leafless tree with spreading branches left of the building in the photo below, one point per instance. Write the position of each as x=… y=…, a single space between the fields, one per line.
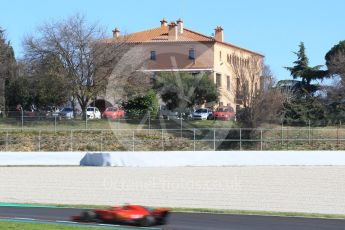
x=86 y=60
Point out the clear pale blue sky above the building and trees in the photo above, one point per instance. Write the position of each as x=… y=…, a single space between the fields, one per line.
x=271 y=27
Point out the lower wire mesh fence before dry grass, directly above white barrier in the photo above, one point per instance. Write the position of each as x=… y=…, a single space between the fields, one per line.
x=195 y=139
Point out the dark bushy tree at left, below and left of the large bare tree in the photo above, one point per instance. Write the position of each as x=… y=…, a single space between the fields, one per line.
x=40 y=83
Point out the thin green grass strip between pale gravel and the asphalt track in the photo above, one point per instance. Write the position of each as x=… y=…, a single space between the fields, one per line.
x=206 y=210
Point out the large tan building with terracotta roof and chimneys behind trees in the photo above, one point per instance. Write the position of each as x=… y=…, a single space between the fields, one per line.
x=174 y=48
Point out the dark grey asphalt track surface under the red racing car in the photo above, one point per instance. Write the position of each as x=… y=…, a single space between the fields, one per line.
x=183 y=221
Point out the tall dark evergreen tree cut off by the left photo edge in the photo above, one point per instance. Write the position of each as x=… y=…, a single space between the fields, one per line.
x=7 y=67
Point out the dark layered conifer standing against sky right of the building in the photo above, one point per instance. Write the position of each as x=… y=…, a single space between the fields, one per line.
x=302 y=70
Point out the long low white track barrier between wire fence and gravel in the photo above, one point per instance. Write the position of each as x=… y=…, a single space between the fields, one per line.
x=185 y=158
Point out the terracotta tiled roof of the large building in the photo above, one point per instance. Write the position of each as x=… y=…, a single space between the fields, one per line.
x=160 y=34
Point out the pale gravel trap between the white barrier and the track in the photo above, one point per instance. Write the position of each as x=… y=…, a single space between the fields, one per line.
x=318 y=189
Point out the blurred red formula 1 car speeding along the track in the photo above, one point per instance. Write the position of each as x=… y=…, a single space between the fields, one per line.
x=127 y=214
